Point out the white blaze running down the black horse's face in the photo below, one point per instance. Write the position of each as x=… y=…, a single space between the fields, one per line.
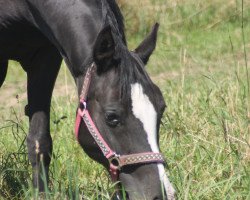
x=144 y=110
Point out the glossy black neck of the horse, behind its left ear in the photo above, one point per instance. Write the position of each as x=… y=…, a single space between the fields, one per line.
x=72 y=26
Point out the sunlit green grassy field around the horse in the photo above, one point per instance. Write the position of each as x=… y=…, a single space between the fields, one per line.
x=201 y=65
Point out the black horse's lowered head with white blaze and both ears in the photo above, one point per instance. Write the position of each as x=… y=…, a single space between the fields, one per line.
x=125 y=107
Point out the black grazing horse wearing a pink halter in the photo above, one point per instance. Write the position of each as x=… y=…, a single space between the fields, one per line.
x=119 y=109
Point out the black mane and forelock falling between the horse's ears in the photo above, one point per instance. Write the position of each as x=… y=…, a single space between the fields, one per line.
x=130 y=68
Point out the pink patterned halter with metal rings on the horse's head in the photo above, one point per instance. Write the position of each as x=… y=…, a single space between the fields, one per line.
x=116 y=162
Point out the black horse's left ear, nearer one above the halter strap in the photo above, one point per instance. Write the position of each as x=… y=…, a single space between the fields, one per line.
x=104 y=49
